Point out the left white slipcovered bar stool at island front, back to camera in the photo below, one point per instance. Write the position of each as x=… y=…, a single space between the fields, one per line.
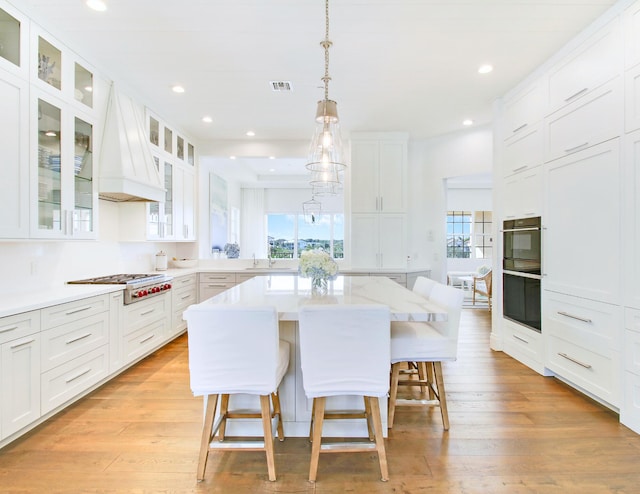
x=236 y=350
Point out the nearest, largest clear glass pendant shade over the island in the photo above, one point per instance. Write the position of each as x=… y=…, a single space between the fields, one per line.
x=325 y=151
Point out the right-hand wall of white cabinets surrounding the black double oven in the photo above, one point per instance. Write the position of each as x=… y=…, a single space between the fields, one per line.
x=587 y=140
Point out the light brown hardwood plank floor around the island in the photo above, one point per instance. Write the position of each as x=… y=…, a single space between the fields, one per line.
x=512 y=431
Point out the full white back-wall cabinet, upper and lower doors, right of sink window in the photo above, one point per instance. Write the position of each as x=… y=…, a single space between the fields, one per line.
x=378 y=200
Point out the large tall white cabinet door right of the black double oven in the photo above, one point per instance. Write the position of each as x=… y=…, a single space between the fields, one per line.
x=582 y=237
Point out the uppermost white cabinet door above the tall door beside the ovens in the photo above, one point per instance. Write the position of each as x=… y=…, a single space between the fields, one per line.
x=591 y=64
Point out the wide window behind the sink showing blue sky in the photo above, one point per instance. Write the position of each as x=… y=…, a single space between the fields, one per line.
x=289 y=235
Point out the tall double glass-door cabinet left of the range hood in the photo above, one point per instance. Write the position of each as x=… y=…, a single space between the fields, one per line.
x=65 y=186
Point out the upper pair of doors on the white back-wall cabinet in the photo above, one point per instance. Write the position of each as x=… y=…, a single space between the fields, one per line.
x=378 y=175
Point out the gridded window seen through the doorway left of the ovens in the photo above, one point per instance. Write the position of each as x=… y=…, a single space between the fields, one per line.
x=469 y=234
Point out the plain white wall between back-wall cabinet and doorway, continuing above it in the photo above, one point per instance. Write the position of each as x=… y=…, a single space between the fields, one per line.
x=431 y=162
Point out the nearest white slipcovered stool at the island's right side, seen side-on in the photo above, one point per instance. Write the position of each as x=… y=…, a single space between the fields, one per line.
x=431 y=343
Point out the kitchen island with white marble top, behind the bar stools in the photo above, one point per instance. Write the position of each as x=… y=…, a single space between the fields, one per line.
x=288 y=293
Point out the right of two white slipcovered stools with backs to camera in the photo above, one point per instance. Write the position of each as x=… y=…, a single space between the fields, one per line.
x=344 y=350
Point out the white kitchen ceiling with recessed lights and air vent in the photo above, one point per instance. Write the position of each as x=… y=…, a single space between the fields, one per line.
x=396 y=65
